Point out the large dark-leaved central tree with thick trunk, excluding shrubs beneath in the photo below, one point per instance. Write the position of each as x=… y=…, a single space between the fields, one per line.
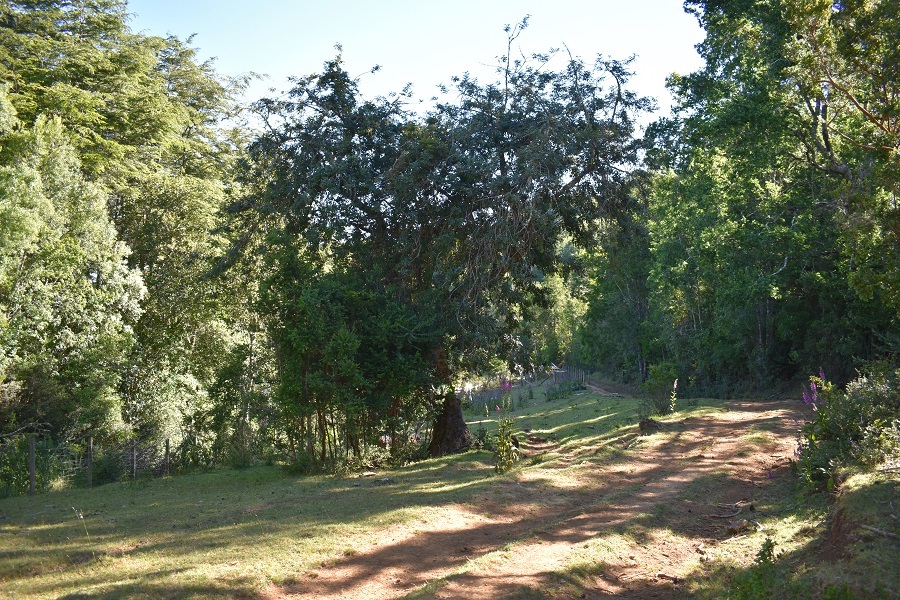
x=455 y=217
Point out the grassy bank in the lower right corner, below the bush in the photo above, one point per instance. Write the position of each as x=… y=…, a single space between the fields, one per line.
x=821 y=550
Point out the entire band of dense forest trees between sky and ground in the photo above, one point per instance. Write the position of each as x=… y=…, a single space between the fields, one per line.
x=311 y=278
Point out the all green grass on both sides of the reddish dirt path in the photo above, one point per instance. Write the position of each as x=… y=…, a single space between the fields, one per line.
x=233 y=533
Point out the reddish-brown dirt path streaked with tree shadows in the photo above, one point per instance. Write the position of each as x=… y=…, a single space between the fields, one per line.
x=651 y=506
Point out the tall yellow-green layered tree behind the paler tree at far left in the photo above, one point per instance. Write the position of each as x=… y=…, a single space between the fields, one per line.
x=142 y=114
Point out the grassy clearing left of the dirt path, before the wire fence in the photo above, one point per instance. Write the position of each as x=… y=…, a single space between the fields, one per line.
x=226 y=531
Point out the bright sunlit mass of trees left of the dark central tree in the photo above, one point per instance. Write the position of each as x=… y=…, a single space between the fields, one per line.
x=137 y=117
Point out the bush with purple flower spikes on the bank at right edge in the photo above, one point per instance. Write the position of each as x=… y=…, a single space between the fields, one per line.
x=860 y=425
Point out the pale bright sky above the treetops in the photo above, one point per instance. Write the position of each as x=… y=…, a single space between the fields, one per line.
x=423 y=42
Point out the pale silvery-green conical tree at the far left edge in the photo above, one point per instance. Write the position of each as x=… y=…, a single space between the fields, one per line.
x=68 y=300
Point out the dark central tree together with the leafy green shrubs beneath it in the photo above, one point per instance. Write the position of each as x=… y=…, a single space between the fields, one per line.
x=441 y=234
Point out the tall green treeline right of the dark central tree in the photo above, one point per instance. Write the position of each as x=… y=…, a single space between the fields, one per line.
x=763 y=243
